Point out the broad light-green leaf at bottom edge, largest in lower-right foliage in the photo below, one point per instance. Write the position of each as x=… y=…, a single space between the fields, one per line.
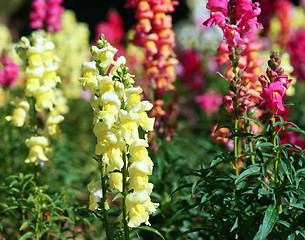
x=270 y=218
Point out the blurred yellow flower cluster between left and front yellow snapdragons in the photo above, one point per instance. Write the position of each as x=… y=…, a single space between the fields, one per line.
x=72 y=48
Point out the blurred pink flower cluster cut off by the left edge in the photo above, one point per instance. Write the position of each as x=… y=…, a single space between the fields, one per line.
x=9 y=73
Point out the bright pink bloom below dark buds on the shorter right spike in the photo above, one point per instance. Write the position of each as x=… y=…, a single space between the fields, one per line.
x=274 y=97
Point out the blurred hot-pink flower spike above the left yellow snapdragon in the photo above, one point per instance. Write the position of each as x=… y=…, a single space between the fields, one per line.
x=46 y=15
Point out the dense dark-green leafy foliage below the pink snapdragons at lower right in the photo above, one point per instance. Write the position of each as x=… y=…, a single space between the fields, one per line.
x=265 y=201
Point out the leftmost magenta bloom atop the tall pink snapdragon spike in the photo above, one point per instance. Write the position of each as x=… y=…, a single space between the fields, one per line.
x=219 y=11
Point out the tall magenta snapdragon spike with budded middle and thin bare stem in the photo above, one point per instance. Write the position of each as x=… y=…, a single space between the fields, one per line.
x=238 y=20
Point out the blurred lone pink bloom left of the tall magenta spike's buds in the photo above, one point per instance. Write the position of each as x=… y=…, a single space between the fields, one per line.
x=209 y=102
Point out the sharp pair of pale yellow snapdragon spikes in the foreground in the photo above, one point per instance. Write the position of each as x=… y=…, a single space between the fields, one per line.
x=118 y=114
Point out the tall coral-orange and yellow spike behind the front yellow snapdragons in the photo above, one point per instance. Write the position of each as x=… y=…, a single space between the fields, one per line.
x=154 y=34
